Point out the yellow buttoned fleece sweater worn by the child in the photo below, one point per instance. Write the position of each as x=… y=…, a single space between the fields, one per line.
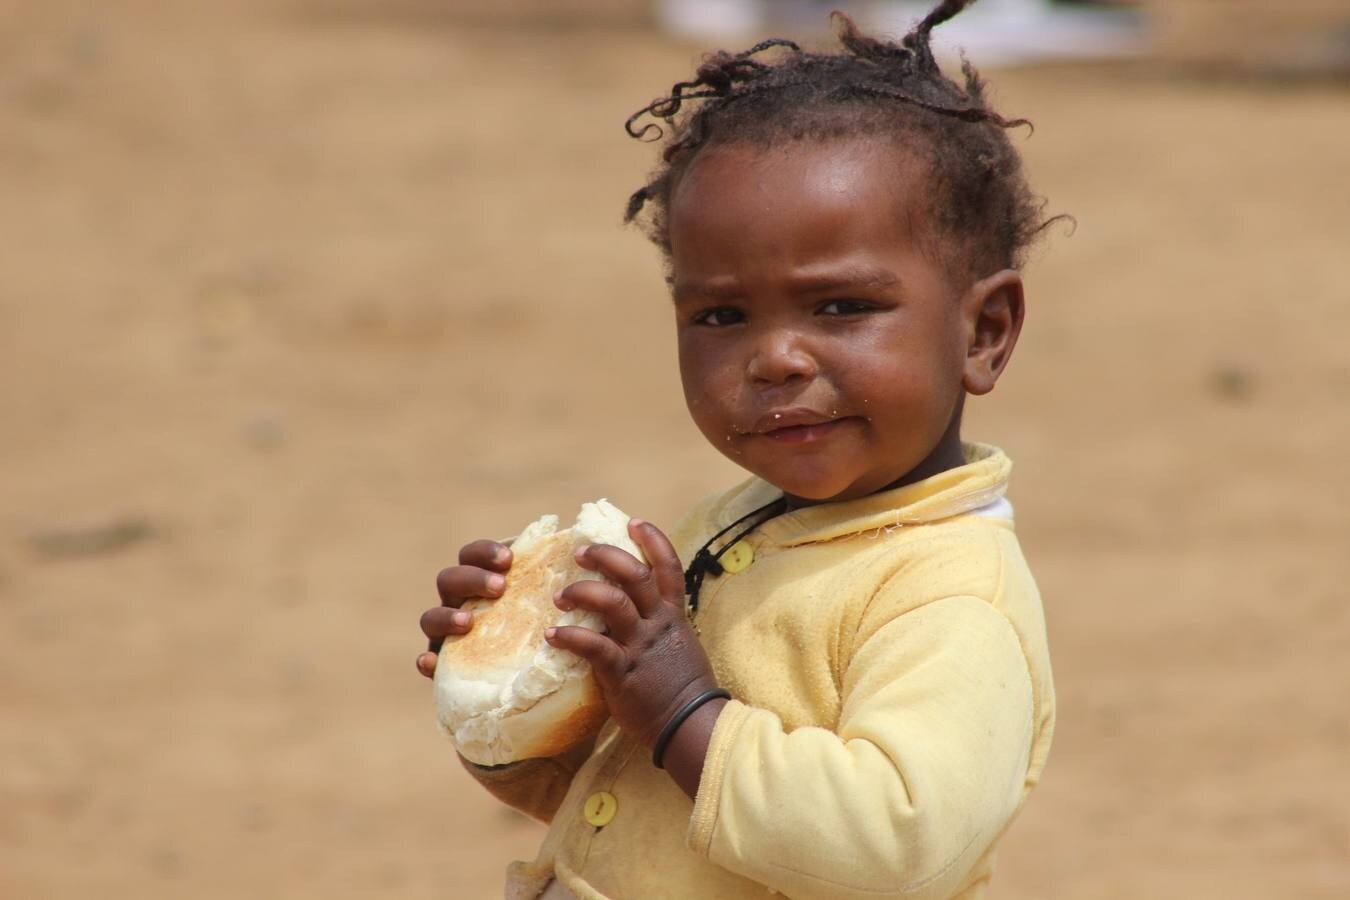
x=893 y=710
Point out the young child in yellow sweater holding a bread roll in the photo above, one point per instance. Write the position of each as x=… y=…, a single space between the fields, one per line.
x=843 y=234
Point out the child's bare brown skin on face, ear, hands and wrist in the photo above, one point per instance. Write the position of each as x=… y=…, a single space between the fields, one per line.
x=823 y=347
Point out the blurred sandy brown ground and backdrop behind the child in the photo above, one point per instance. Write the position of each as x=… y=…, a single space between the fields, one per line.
x=299 y=296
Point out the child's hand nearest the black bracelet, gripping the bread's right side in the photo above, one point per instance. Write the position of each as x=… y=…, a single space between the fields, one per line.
x=650 y=663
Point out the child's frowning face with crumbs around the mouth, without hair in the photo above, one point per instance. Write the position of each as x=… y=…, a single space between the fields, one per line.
x=820 y=346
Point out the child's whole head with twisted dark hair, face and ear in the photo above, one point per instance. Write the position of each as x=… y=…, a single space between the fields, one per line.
x=843 y=235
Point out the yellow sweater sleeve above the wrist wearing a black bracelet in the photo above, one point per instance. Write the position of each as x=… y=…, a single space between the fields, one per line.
x=924 y=774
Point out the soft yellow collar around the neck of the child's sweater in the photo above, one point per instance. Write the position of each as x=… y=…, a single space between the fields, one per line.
x=981 y=482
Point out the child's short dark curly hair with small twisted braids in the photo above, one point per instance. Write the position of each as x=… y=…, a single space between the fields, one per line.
x=981 y=211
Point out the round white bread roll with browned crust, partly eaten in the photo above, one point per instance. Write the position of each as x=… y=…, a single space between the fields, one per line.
x=503 y=694
